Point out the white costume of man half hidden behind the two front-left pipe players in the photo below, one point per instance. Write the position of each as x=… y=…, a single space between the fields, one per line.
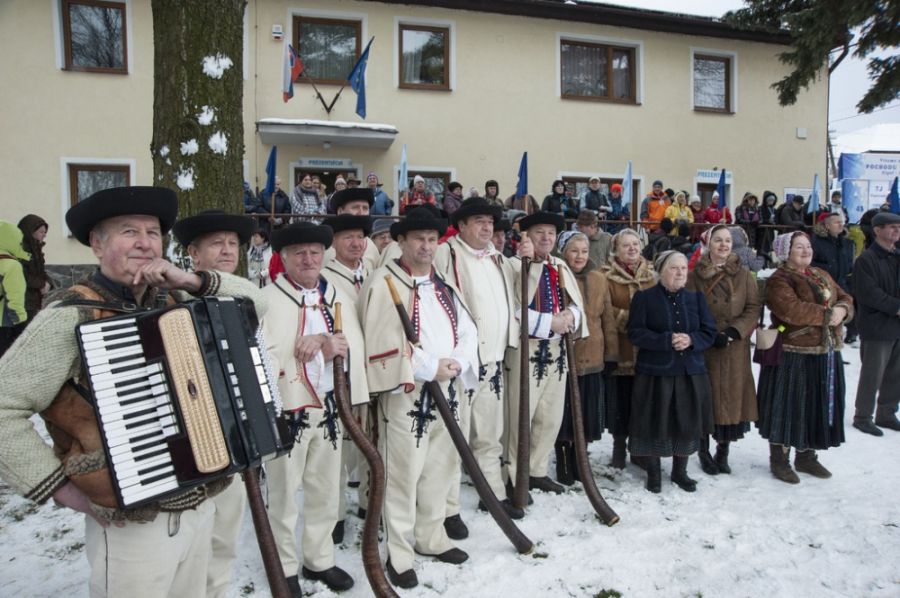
x=353 y=466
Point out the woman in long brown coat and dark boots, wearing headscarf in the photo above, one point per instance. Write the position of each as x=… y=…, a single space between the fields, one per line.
x=733 y=299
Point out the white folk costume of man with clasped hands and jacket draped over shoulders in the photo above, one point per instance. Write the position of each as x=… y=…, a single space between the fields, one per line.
x=420 y=459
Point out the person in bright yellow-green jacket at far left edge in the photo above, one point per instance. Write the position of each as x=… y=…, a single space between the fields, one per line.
x=12 y=284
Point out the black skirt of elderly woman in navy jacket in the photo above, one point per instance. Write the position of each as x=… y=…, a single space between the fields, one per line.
x=670 y=414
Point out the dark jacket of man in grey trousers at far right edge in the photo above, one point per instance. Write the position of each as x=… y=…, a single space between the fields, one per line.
x=876 y=281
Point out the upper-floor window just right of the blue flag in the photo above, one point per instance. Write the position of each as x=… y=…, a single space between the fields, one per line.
x=424 y=57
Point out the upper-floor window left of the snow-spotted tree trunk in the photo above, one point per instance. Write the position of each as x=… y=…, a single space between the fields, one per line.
x=94 y=36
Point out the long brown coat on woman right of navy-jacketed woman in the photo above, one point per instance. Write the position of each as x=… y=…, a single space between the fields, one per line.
x=733 y=298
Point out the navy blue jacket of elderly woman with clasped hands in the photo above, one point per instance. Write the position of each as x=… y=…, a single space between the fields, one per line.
x=655 y=314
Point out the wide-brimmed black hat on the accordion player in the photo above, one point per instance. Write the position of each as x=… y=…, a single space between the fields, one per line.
x=122 y=201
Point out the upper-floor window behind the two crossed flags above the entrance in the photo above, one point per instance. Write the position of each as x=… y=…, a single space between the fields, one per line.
x=329 y=48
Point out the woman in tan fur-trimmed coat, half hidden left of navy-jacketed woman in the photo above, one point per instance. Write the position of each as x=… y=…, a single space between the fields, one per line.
x=626 y=273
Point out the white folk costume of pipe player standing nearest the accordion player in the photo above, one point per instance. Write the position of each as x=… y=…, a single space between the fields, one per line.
x=307 y=391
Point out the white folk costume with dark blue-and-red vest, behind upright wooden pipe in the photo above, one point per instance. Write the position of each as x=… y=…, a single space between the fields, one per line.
x=547 y=362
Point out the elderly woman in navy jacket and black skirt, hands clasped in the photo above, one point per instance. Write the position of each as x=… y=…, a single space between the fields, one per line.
x=671 y=410
